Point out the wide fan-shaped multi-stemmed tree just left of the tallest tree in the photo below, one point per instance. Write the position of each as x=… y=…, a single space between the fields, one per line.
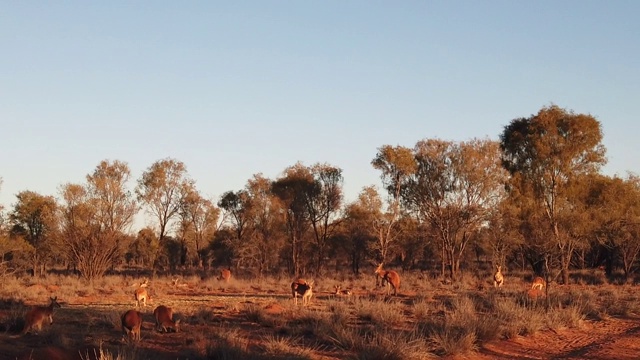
x=455 y=190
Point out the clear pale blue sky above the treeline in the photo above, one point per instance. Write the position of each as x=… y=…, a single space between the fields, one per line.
x=236 y=88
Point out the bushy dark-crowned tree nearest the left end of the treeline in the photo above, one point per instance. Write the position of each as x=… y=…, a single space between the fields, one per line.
x=34 y=219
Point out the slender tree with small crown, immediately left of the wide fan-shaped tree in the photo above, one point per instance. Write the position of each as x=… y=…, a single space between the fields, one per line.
x=396 y=164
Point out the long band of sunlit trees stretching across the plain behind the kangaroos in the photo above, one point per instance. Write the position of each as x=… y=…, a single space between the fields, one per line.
x=534 y=200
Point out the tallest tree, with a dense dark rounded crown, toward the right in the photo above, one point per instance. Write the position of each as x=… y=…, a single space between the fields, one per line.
x=544 y=153
